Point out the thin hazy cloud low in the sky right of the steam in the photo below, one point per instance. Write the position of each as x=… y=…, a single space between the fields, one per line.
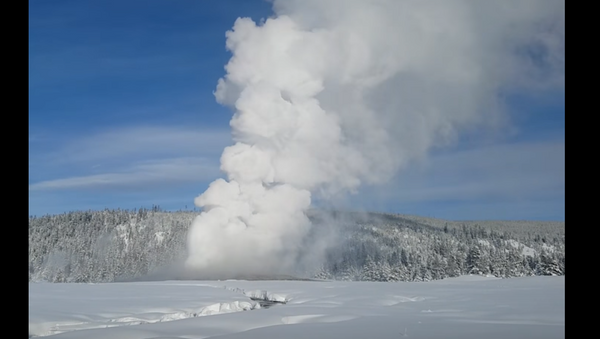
x=455 y=184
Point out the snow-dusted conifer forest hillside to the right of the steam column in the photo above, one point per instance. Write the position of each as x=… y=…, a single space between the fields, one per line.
x=395 y=248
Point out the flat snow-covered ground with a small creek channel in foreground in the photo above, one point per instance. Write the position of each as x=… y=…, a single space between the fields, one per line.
x=465 y=307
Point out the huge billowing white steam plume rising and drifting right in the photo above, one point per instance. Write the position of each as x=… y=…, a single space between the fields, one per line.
x=332 y=94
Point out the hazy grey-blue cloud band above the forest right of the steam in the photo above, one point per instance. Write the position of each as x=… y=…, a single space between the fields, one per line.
x=515 y=172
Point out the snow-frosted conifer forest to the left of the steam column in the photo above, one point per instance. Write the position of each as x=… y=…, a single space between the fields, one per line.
x=105 y=246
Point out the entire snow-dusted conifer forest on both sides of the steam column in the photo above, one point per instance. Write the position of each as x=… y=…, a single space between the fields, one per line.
x=118 y=245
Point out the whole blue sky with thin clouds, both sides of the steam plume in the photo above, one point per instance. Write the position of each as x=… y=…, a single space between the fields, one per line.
x=122 y=115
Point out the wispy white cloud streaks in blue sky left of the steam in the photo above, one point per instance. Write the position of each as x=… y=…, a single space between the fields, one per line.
x=131 y=157
